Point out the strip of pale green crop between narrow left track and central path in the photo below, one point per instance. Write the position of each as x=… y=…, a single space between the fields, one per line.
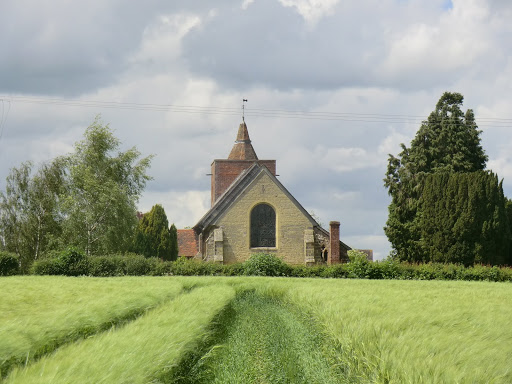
x=138 y=352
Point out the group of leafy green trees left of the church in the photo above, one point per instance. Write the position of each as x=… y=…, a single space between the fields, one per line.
x=86 y=199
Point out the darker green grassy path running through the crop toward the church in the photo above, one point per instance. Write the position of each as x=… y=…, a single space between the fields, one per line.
x=261 y=340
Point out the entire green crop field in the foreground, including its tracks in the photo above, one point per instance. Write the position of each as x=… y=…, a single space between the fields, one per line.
x=253 y=330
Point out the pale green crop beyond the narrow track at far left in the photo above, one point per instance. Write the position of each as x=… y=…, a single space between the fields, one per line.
x=38 y=314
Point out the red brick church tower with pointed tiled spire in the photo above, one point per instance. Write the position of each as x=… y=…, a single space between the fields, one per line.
x=241 y=157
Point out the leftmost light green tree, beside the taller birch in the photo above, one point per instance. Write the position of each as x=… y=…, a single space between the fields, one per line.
x=30 y=222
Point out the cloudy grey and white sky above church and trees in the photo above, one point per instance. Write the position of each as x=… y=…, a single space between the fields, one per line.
x=333 y=87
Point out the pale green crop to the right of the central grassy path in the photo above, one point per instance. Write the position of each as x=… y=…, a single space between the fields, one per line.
x=414 y=331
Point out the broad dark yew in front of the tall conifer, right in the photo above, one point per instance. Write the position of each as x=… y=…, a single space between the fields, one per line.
x=463 y=219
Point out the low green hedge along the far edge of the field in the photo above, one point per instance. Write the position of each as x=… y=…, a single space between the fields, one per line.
x=73 y=263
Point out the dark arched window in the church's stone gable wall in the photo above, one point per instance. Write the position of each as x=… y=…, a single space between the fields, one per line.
x=263 y=226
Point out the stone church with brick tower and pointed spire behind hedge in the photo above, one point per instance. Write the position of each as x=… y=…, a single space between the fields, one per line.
x=252 y=212
